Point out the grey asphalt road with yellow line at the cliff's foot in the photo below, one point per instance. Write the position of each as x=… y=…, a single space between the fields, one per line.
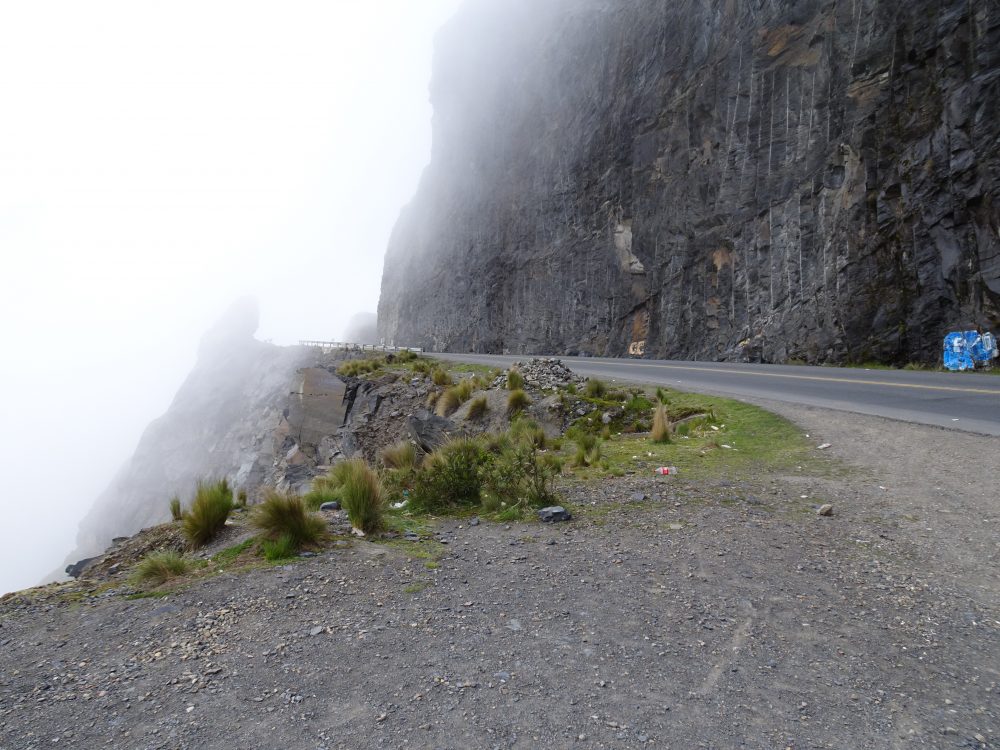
x=963 y=401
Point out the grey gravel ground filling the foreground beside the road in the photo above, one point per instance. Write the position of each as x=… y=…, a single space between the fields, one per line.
x=710 y=615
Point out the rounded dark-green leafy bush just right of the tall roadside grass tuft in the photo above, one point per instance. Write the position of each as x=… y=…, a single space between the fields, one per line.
x=450 y=477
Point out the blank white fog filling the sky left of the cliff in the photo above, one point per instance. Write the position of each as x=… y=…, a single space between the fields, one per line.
x=158 y=161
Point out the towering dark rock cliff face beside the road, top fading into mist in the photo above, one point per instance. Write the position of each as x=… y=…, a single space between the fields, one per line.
x=718 y=179
